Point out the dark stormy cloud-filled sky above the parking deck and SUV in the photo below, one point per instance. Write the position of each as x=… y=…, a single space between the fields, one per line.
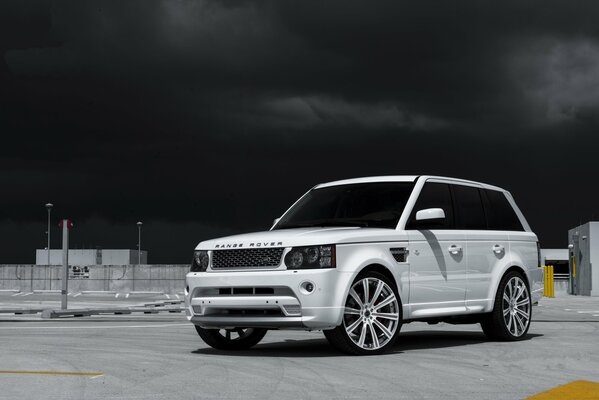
x=220 y=114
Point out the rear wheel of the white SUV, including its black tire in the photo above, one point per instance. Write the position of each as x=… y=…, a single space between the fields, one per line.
x=512 y=310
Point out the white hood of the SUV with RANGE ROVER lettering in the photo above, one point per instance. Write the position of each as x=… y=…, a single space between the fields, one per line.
x=303 y=237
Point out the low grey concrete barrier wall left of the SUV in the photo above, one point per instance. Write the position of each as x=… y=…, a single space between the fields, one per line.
x=118 y=278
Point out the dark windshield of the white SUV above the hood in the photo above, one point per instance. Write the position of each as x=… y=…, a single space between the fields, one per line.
x=377 y=204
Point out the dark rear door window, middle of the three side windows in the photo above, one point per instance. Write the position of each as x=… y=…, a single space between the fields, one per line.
x=469 y=208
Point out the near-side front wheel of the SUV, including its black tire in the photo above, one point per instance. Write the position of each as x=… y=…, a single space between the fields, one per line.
x=368 y=327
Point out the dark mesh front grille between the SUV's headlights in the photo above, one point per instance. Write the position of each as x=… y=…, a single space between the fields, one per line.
x=247 y=258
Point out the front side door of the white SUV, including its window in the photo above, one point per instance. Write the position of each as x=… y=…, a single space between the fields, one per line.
x=437 y=257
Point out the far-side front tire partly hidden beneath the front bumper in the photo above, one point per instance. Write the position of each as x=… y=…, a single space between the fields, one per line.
x=231 y=339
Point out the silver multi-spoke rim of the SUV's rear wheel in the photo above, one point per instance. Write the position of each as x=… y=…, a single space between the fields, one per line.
x=516 y=306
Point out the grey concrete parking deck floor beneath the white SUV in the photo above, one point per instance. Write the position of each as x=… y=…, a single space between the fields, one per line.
x=161 y=356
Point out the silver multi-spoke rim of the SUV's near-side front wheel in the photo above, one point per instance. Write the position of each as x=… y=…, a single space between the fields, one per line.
x=371 y=314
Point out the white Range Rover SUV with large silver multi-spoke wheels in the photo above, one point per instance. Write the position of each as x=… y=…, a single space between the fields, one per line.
x=358 y=258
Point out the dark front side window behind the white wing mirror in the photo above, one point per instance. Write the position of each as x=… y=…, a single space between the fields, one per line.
x=433 y=195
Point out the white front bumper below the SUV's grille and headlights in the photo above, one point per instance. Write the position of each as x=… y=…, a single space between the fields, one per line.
x=266 y=299
